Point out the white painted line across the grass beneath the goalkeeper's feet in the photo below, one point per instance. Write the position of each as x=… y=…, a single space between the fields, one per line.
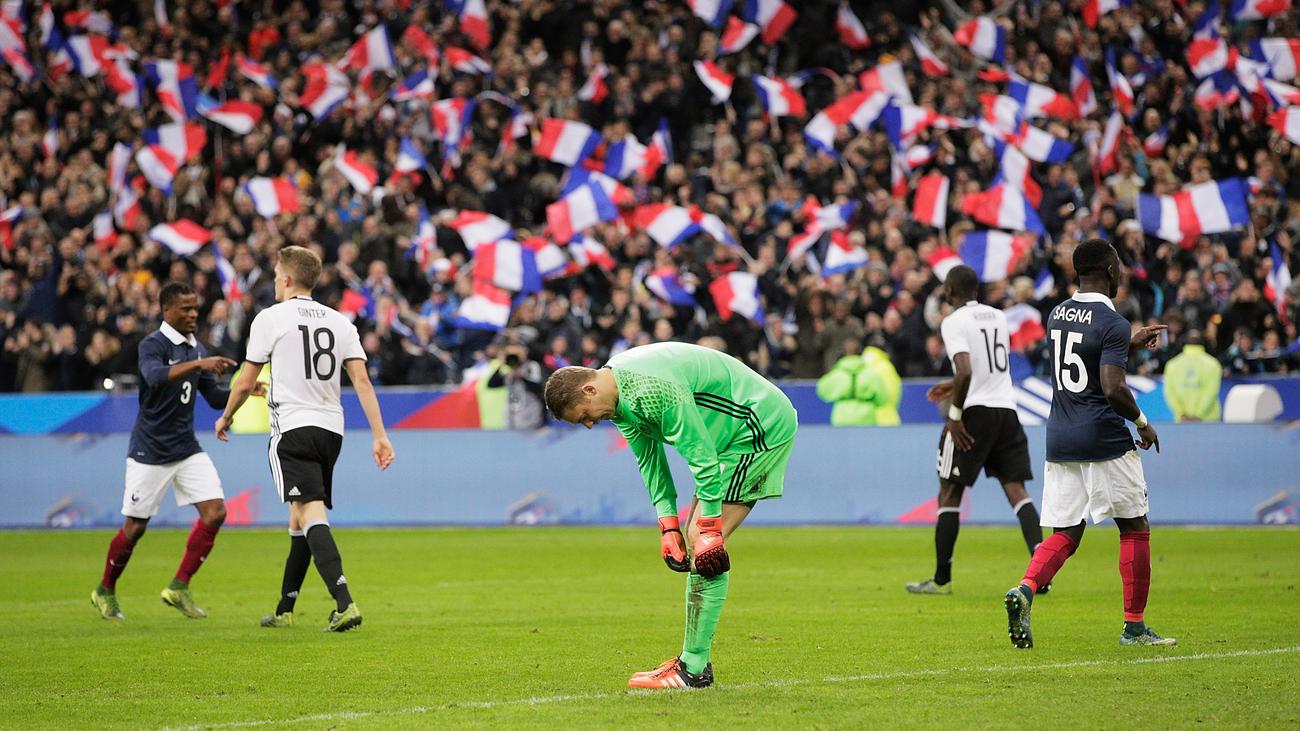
x=830 y=680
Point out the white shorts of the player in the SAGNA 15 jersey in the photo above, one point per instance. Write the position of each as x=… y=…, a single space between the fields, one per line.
x=1073 y=491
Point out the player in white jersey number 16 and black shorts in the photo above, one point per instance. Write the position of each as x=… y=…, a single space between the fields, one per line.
x=982 y=431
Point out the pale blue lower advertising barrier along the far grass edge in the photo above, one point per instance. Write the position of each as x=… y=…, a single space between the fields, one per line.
x=1207 y=474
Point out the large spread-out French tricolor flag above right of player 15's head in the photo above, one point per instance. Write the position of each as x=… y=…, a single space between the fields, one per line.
x=1207 y=209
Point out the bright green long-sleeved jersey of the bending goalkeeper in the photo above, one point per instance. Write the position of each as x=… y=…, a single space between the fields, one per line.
x=705 y=404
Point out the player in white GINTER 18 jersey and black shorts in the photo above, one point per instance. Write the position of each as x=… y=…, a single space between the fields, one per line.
x=309 y=347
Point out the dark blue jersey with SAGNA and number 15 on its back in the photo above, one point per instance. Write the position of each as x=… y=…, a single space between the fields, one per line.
x=1086 y=334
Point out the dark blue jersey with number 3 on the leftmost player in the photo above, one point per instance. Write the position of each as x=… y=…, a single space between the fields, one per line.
x=164 y=429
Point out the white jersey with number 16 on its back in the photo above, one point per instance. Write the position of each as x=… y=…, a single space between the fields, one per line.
x=982 y=332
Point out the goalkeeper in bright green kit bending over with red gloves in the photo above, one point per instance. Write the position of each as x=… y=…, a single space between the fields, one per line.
x=735 y=431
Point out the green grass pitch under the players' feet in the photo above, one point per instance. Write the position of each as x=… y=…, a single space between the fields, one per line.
x=532 y=628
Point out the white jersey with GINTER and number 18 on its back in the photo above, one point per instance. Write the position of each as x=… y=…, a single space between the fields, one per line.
x=306 y=345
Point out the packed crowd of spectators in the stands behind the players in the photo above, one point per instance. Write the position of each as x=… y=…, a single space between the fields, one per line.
x=77 y=295
